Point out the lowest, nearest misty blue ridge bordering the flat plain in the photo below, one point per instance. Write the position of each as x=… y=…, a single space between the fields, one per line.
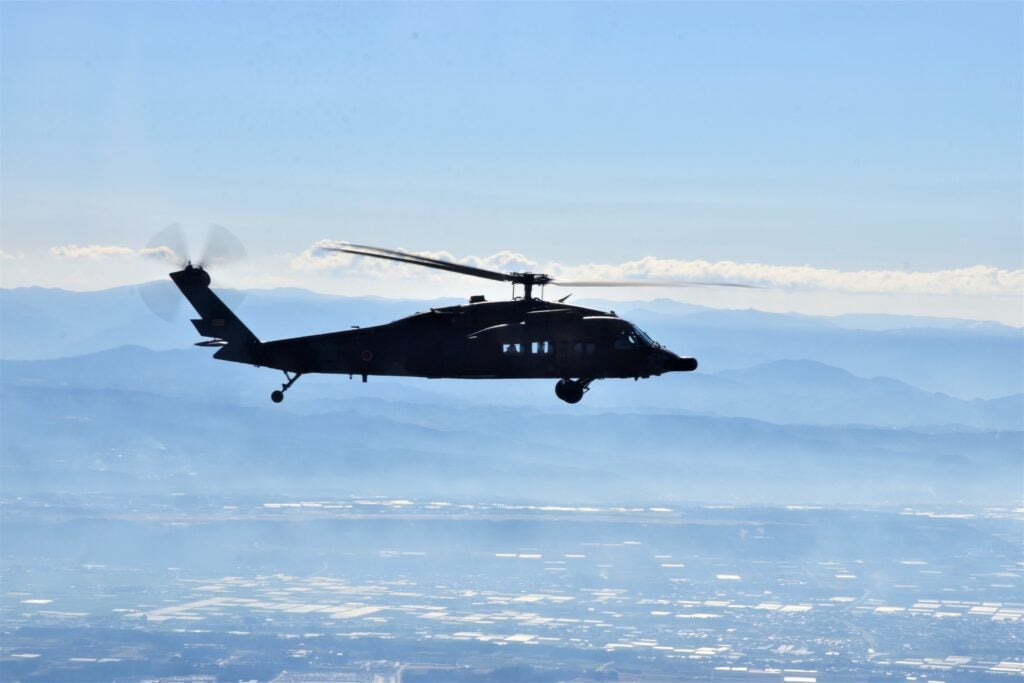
x=62 y=439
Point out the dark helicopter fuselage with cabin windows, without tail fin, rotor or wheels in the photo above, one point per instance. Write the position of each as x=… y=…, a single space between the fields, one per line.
x=526 y=338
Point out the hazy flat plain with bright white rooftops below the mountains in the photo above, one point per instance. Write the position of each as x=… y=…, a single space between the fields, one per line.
x=190 y=588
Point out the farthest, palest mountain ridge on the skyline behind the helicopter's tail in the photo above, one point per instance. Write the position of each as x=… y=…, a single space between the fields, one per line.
x=963 y=359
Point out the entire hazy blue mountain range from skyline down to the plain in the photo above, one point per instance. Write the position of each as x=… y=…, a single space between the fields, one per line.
x=132 y=419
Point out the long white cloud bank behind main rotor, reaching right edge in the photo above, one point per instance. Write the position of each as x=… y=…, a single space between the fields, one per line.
x=973 y=281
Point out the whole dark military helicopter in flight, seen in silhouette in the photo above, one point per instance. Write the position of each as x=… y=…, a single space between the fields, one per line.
x=527 y=337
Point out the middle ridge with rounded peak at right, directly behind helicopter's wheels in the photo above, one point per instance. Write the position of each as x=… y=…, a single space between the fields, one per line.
x=783 y=392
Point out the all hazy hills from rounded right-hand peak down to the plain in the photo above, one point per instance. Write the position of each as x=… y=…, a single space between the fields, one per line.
x=134 y=420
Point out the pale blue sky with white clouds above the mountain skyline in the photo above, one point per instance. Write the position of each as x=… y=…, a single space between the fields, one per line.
x=847 y=157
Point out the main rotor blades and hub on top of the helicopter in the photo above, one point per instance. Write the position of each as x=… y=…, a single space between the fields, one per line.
x=528 y=280
